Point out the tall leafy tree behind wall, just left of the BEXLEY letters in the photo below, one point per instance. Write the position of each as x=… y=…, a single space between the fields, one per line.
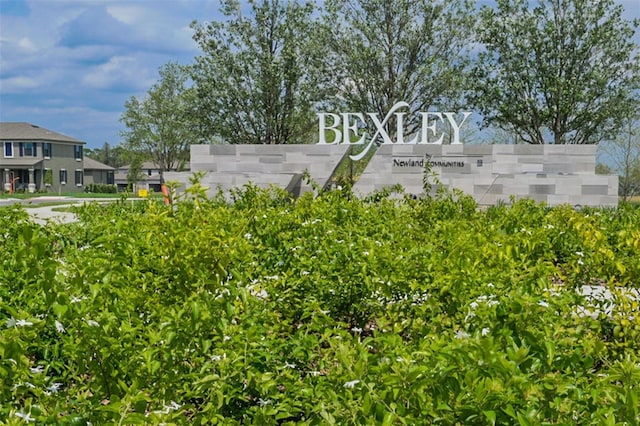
x=259 y=75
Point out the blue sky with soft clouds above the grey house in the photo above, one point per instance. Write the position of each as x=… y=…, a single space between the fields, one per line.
x=70 y=65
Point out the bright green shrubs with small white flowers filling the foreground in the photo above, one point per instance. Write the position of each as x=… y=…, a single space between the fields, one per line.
x=326 y=310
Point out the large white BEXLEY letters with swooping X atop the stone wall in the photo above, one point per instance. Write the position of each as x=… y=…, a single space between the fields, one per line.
x=347 y=124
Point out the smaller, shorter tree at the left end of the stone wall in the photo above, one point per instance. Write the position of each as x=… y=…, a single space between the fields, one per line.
x=159 y=126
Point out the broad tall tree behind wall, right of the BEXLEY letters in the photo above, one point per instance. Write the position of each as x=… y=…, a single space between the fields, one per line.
x=564 y=69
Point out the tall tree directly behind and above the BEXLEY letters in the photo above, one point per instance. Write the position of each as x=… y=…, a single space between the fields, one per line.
x=385 y=51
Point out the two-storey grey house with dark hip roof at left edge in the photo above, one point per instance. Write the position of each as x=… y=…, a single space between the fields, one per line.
x=36 y=159
